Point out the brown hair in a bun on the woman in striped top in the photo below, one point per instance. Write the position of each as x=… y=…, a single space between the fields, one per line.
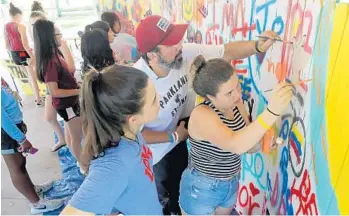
x=209 y=75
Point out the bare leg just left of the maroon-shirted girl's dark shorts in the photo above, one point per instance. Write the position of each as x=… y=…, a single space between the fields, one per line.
x=51 y=117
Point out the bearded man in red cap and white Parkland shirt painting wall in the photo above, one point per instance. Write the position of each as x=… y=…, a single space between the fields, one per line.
x=167 y=62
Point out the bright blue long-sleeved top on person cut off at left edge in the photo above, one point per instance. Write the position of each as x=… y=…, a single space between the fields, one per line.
x=11 y=115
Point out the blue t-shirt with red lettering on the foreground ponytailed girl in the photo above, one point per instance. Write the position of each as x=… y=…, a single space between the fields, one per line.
x=120 y=181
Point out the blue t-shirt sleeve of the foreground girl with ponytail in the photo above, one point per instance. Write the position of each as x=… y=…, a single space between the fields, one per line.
x=101 y=188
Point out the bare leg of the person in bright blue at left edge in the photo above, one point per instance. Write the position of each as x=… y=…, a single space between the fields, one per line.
x=19 y=176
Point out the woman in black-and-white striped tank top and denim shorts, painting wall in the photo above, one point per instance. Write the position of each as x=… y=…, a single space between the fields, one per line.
x=219 y=132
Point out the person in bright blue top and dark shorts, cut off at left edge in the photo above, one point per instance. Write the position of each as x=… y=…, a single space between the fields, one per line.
x=13 y=144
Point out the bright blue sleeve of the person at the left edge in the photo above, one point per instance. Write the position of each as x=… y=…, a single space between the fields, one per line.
x=9 y=126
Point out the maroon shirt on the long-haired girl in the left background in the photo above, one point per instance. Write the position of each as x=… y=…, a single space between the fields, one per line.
x=58 y=72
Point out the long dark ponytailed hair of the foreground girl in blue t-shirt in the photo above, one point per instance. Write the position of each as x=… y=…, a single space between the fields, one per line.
x=108 y=98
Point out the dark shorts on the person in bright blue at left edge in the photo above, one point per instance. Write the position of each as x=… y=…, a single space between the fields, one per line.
x=9 y=145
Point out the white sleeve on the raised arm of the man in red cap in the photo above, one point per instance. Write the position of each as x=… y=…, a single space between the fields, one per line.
x=192 y=50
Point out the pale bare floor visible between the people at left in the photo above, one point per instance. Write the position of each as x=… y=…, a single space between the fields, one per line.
x=42 y=167
